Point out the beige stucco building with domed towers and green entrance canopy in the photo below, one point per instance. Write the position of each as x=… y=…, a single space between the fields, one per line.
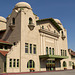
x=37 y=44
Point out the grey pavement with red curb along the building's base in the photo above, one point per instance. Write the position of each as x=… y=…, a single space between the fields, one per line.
x=59 y=72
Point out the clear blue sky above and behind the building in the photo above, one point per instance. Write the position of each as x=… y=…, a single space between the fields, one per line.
x=64 y=10
